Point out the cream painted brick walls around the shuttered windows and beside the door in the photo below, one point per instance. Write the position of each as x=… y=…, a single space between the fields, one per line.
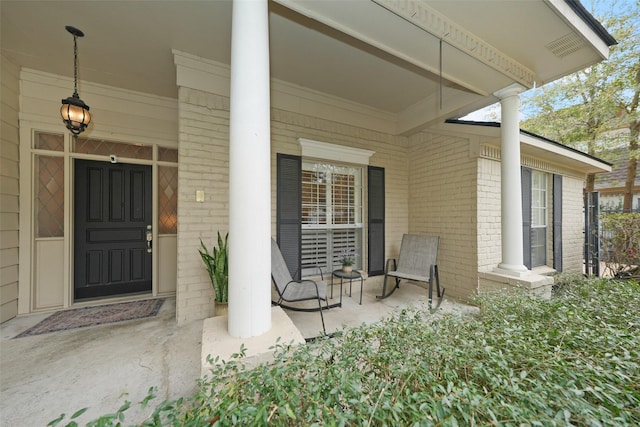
x=435 y=184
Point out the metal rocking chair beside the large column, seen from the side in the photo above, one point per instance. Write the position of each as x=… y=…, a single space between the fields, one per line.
x=290 y=290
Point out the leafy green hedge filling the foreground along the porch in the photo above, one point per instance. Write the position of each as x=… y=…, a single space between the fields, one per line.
x=574 y=360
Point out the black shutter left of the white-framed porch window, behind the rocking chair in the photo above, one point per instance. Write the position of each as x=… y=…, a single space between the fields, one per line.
x=289 y=210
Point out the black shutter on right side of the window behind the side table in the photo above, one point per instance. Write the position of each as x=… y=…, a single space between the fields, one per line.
x=376 y=220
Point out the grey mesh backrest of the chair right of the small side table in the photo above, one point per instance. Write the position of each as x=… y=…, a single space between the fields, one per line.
x=417 y=254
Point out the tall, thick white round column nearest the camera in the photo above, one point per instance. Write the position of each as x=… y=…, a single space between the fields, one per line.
x=249 y=172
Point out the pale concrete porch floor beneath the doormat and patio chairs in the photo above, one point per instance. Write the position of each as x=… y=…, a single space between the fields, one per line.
x=101 y=366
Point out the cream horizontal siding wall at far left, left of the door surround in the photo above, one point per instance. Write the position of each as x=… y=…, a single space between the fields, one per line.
x=9 y=189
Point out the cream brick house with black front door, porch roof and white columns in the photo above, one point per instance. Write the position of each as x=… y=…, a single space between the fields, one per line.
x=331 y=135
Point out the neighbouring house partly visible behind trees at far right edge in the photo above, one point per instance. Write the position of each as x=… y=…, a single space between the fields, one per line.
x=611 y=185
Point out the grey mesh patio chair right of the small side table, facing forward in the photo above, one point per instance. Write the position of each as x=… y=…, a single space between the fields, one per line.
x=417 y=261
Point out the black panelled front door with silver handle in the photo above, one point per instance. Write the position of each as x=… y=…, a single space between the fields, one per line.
x=111 y=216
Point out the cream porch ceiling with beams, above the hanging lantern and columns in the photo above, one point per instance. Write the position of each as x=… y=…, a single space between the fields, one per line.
x=371 y=52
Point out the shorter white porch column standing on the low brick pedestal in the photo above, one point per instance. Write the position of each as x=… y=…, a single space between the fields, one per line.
x=511 y=187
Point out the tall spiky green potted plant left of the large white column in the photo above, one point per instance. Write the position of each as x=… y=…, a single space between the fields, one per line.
x=217 y=264
